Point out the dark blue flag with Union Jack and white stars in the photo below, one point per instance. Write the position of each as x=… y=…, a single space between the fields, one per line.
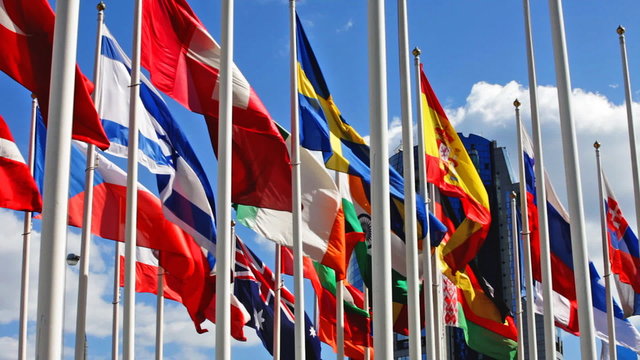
x=254 y=286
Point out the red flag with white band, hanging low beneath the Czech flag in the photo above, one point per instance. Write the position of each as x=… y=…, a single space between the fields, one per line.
x=192 y=292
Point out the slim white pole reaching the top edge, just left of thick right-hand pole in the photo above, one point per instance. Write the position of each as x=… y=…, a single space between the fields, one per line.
x=543 y=224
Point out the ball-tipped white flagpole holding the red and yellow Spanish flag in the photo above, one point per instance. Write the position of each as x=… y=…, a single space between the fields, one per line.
x=429 y=315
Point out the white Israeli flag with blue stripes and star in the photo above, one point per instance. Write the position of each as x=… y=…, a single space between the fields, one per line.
x=184 y=188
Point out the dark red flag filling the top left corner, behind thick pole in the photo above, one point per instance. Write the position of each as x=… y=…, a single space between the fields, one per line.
x=26 y=32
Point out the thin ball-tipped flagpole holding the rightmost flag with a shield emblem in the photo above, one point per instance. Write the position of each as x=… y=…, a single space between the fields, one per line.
x=605 y=258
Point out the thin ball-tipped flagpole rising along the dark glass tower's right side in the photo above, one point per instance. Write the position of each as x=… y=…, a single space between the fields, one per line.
x=526 y=243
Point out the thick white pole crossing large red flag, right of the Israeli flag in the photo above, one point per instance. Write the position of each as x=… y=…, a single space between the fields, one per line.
x=223 y=248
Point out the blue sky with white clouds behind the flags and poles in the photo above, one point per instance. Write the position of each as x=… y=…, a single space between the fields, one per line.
x=474 y=55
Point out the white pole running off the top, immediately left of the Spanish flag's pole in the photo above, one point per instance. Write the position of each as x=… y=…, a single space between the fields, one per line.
x=410 y=222
